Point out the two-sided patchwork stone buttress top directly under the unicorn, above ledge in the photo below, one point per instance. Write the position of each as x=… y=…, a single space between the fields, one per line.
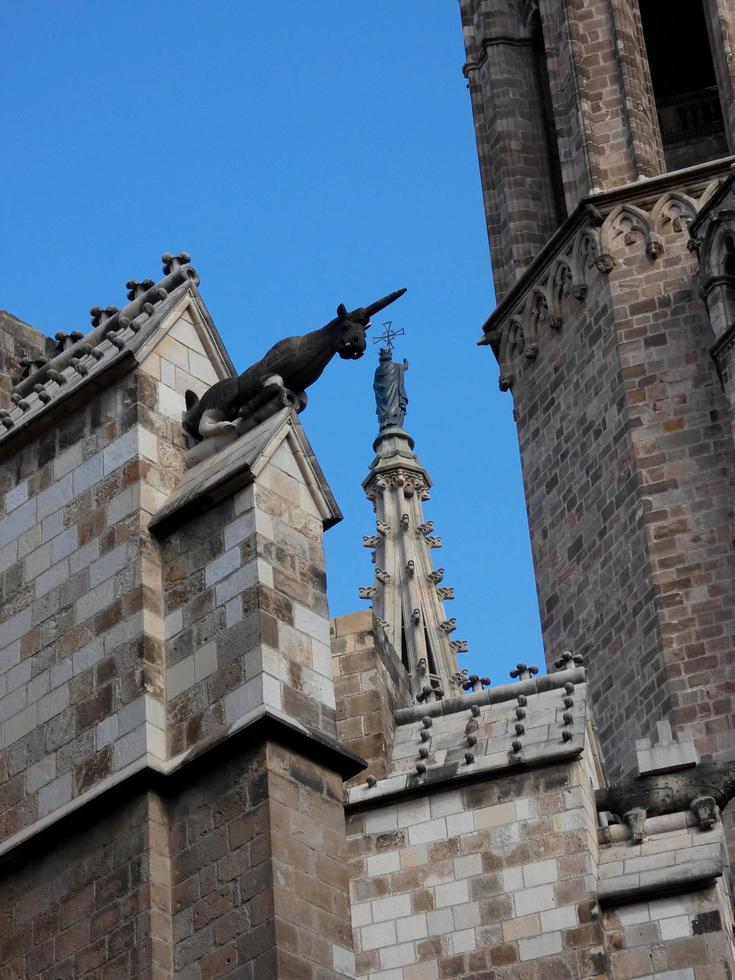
x=246 y=612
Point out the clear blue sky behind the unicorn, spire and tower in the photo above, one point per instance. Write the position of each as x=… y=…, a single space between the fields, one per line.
x=306 y=154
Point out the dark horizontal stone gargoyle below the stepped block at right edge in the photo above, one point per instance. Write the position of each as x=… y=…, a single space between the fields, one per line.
x=701 y=789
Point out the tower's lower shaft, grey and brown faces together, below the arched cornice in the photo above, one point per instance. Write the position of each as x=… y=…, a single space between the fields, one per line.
x=625 y=438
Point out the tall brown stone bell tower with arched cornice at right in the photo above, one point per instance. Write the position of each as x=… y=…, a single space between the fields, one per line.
x=602 y=164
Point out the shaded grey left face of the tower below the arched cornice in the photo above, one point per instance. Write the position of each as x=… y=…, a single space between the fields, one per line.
x=589 y=547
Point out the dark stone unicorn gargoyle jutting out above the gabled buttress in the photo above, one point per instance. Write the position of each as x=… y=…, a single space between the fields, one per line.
x=282 y=376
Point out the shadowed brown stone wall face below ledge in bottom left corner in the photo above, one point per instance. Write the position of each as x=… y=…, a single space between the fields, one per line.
x=78 y=904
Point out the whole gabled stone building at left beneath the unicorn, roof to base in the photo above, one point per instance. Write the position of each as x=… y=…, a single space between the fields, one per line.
x=170 y=779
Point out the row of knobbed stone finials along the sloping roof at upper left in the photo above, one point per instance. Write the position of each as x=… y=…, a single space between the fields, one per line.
x=108 y=323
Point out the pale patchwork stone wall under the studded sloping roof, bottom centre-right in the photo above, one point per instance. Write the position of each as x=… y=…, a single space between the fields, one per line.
x=497 y=876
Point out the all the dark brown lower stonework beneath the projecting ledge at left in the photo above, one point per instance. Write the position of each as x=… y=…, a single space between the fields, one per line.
x=234 y=867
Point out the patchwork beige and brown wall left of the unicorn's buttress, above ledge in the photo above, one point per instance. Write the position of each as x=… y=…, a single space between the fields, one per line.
x=81 y=624
